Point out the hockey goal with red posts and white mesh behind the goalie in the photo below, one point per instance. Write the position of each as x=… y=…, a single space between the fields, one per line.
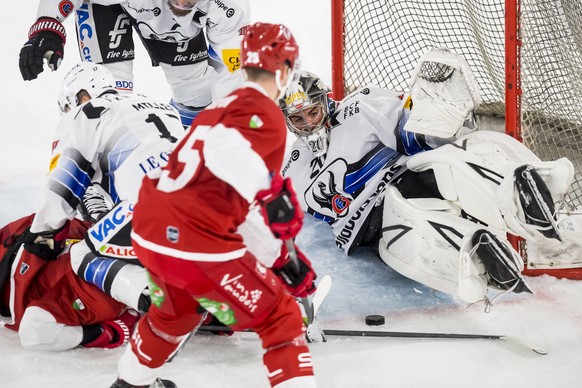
x=526 y=55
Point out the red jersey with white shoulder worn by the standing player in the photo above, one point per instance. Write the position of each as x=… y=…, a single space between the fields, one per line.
x=194 y=207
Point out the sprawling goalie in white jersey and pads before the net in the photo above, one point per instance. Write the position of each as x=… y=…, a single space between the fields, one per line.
x=409 y=174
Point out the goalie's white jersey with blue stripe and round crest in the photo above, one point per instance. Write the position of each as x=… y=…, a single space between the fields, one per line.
x=366 y=150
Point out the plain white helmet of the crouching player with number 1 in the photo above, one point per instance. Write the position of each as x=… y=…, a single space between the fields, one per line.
x=93 y=78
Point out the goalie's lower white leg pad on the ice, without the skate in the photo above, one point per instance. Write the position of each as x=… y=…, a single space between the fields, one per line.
x=426 y=240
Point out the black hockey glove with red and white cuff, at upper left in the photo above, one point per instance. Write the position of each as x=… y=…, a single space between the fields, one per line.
x=46 y=39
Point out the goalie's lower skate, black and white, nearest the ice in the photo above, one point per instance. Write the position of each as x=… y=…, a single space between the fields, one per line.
x=503 y=267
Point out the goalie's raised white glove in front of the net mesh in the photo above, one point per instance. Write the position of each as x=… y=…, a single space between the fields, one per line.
x=444 y=94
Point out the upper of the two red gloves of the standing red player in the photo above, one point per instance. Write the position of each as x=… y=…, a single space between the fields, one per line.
x=280 y=208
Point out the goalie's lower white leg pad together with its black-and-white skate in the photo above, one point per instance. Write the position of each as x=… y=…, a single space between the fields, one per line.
x=426 y=240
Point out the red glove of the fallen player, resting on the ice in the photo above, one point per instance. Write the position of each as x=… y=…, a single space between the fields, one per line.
x=117 y=332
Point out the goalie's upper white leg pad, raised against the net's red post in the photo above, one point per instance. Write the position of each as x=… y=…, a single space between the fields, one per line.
x=477 y=174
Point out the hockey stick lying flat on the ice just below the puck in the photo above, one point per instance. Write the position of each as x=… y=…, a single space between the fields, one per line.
x=404 y=334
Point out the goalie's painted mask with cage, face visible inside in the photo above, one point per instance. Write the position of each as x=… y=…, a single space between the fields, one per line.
x=306 y=107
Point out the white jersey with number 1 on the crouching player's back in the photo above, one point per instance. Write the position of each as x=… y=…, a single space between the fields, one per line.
x=113 y=140
